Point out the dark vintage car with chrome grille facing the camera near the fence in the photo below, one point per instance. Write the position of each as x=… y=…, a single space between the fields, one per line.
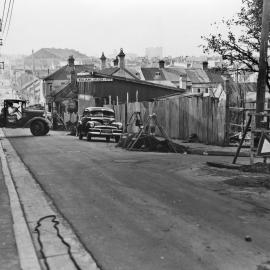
x=99 y=122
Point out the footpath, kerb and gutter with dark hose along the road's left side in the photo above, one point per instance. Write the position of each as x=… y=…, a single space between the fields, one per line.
x=35 y=235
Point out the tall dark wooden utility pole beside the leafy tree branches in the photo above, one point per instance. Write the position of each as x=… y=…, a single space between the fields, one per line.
x=262 y=77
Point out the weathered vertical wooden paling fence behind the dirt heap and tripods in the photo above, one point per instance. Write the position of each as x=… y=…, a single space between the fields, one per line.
x=183 y=116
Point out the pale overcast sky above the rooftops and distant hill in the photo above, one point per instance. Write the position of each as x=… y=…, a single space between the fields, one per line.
x=93 y=26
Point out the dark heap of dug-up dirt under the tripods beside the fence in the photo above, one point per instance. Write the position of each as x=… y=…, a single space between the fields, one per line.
x=150 y=143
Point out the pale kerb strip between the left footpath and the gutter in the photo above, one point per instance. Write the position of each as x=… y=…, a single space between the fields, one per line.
x=25 y=247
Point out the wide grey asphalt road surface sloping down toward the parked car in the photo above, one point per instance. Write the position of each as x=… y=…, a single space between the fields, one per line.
x=155 y=211
